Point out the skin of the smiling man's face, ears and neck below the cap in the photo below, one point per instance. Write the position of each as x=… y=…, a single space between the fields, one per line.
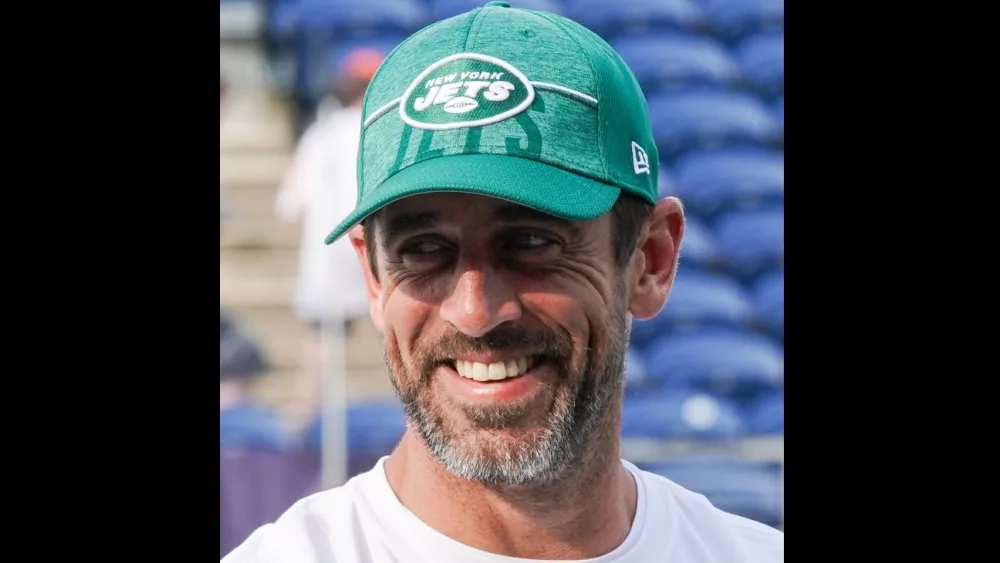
x=487 y=281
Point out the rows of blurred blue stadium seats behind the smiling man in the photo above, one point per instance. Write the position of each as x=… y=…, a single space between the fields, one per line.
x=709 y=369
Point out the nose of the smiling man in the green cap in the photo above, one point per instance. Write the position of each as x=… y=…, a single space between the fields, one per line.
x=482 y=299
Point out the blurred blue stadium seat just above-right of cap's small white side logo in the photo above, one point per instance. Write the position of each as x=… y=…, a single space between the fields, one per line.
x=703 y=119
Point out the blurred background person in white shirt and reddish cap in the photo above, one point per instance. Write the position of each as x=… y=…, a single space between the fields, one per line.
x=319 y=189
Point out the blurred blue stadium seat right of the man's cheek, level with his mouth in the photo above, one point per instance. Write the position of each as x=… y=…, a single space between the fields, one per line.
x=738 y=364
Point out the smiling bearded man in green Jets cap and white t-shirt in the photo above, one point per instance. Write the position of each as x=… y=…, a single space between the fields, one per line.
x=511 y=229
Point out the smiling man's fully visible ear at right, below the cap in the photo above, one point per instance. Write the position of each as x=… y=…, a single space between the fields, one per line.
x=654 y=263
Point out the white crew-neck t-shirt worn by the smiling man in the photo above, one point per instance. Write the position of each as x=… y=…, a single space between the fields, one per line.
x=364 y=522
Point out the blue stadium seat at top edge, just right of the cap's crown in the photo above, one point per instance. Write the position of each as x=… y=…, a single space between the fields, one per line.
x=609 y=19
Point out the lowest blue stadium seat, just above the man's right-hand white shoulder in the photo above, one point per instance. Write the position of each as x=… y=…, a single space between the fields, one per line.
x=748 y=489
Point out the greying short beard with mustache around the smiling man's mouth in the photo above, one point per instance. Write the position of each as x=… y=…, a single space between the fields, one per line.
x=516 y=443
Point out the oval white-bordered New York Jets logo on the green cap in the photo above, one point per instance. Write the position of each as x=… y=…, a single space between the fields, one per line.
x=465 y=90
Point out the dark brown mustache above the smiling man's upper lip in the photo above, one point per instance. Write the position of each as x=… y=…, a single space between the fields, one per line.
x=503 y=339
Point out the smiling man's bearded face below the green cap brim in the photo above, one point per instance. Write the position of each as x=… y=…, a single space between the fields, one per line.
x=505 y=331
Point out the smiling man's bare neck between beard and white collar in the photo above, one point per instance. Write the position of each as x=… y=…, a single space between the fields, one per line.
x=586 y=514
